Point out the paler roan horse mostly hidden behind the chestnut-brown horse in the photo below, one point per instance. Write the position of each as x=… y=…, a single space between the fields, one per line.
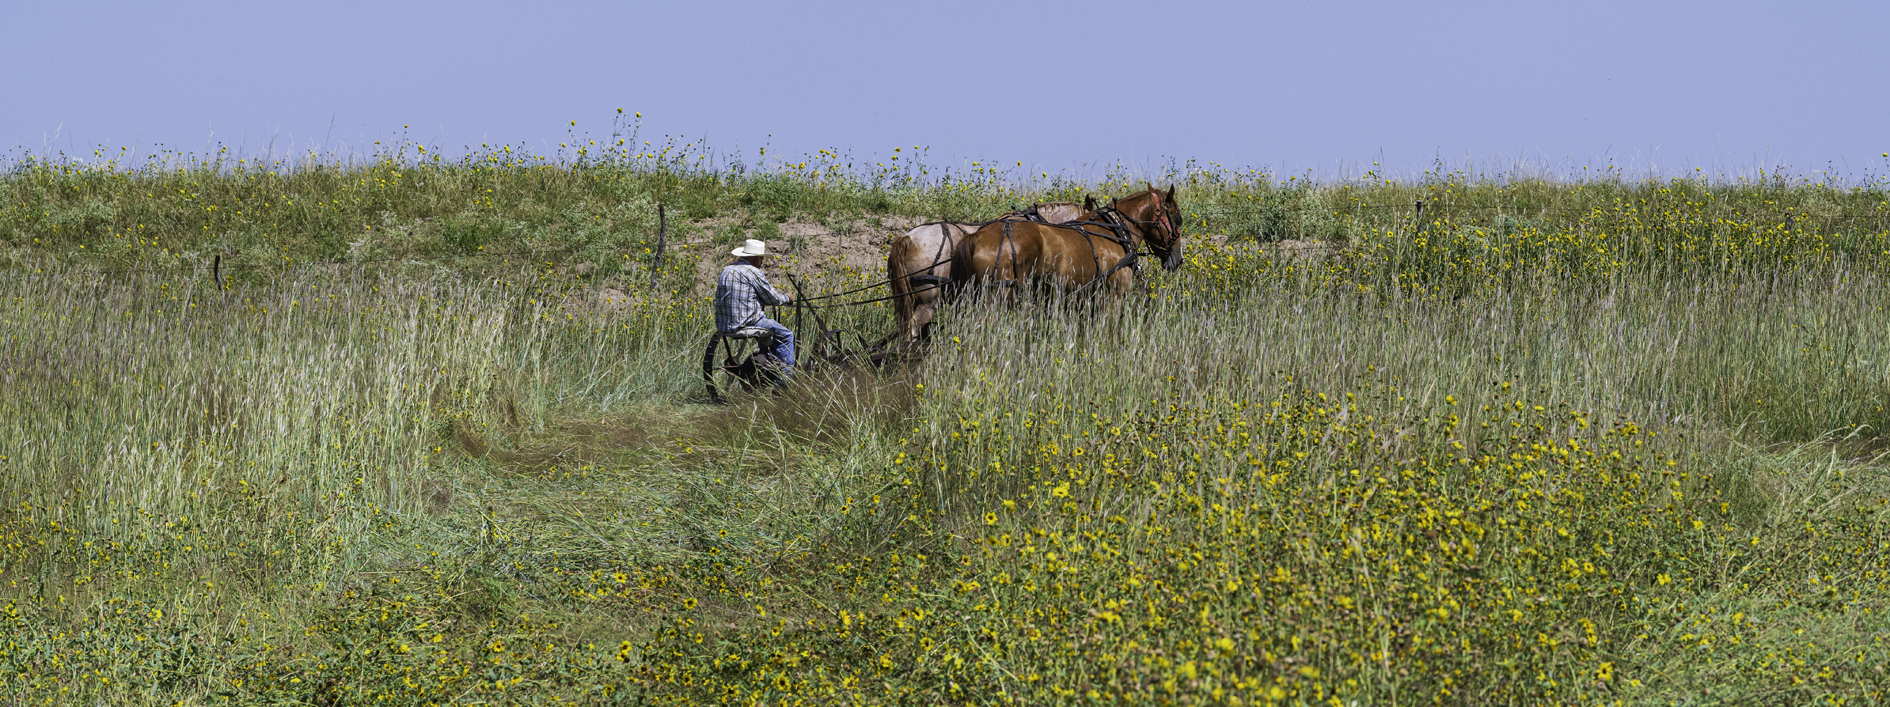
x=919 y=264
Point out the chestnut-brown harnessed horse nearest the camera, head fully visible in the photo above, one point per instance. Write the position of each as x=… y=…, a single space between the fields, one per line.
x=1097 y=252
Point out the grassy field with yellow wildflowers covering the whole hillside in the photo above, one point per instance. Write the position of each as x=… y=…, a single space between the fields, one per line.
x=1549 y=441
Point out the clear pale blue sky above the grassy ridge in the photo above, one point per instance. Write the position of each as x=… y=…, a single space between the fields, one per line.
x=1284 y=86
